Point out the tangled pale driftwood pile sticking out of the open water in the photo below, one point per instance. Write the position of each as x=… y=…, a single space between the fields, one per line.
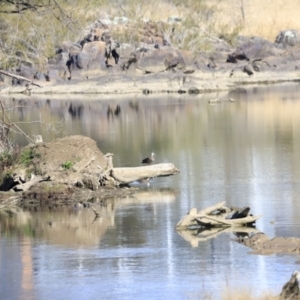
x=217 y=216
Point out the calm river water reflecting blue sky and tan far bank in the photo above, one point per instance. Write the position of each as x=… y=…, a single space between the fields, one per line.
x=244 y=152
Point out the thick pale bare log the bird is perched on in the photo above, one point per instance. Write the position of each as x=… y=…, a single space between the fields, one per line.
x=129 y=175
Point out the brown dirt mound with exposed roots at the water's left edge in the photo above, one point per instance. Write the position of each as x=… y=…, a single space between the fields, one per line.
x=60 y=172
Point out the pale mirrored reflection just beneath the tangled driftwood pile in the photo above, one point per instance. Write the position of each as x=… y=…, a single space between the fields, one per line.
x=201 y=235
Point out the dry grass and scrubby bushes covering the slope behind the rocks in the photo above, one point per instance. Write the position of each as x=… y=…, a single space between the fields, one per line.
x=31 y=38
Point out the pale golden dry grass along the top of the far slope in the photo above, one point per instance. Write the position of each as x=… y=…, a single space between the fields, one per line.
x=262 y=18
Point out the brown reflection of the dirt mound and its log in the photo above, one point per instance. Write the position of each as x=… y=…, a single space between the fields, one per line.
x=72 y=227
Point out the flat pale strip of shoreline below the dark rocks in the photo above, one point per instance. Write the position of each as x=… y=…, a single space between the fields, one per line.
x=166 y=82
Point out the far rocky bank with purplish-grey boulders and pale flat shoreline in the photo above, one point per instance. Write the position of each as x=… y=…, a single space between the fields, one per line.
x=98 y=63
